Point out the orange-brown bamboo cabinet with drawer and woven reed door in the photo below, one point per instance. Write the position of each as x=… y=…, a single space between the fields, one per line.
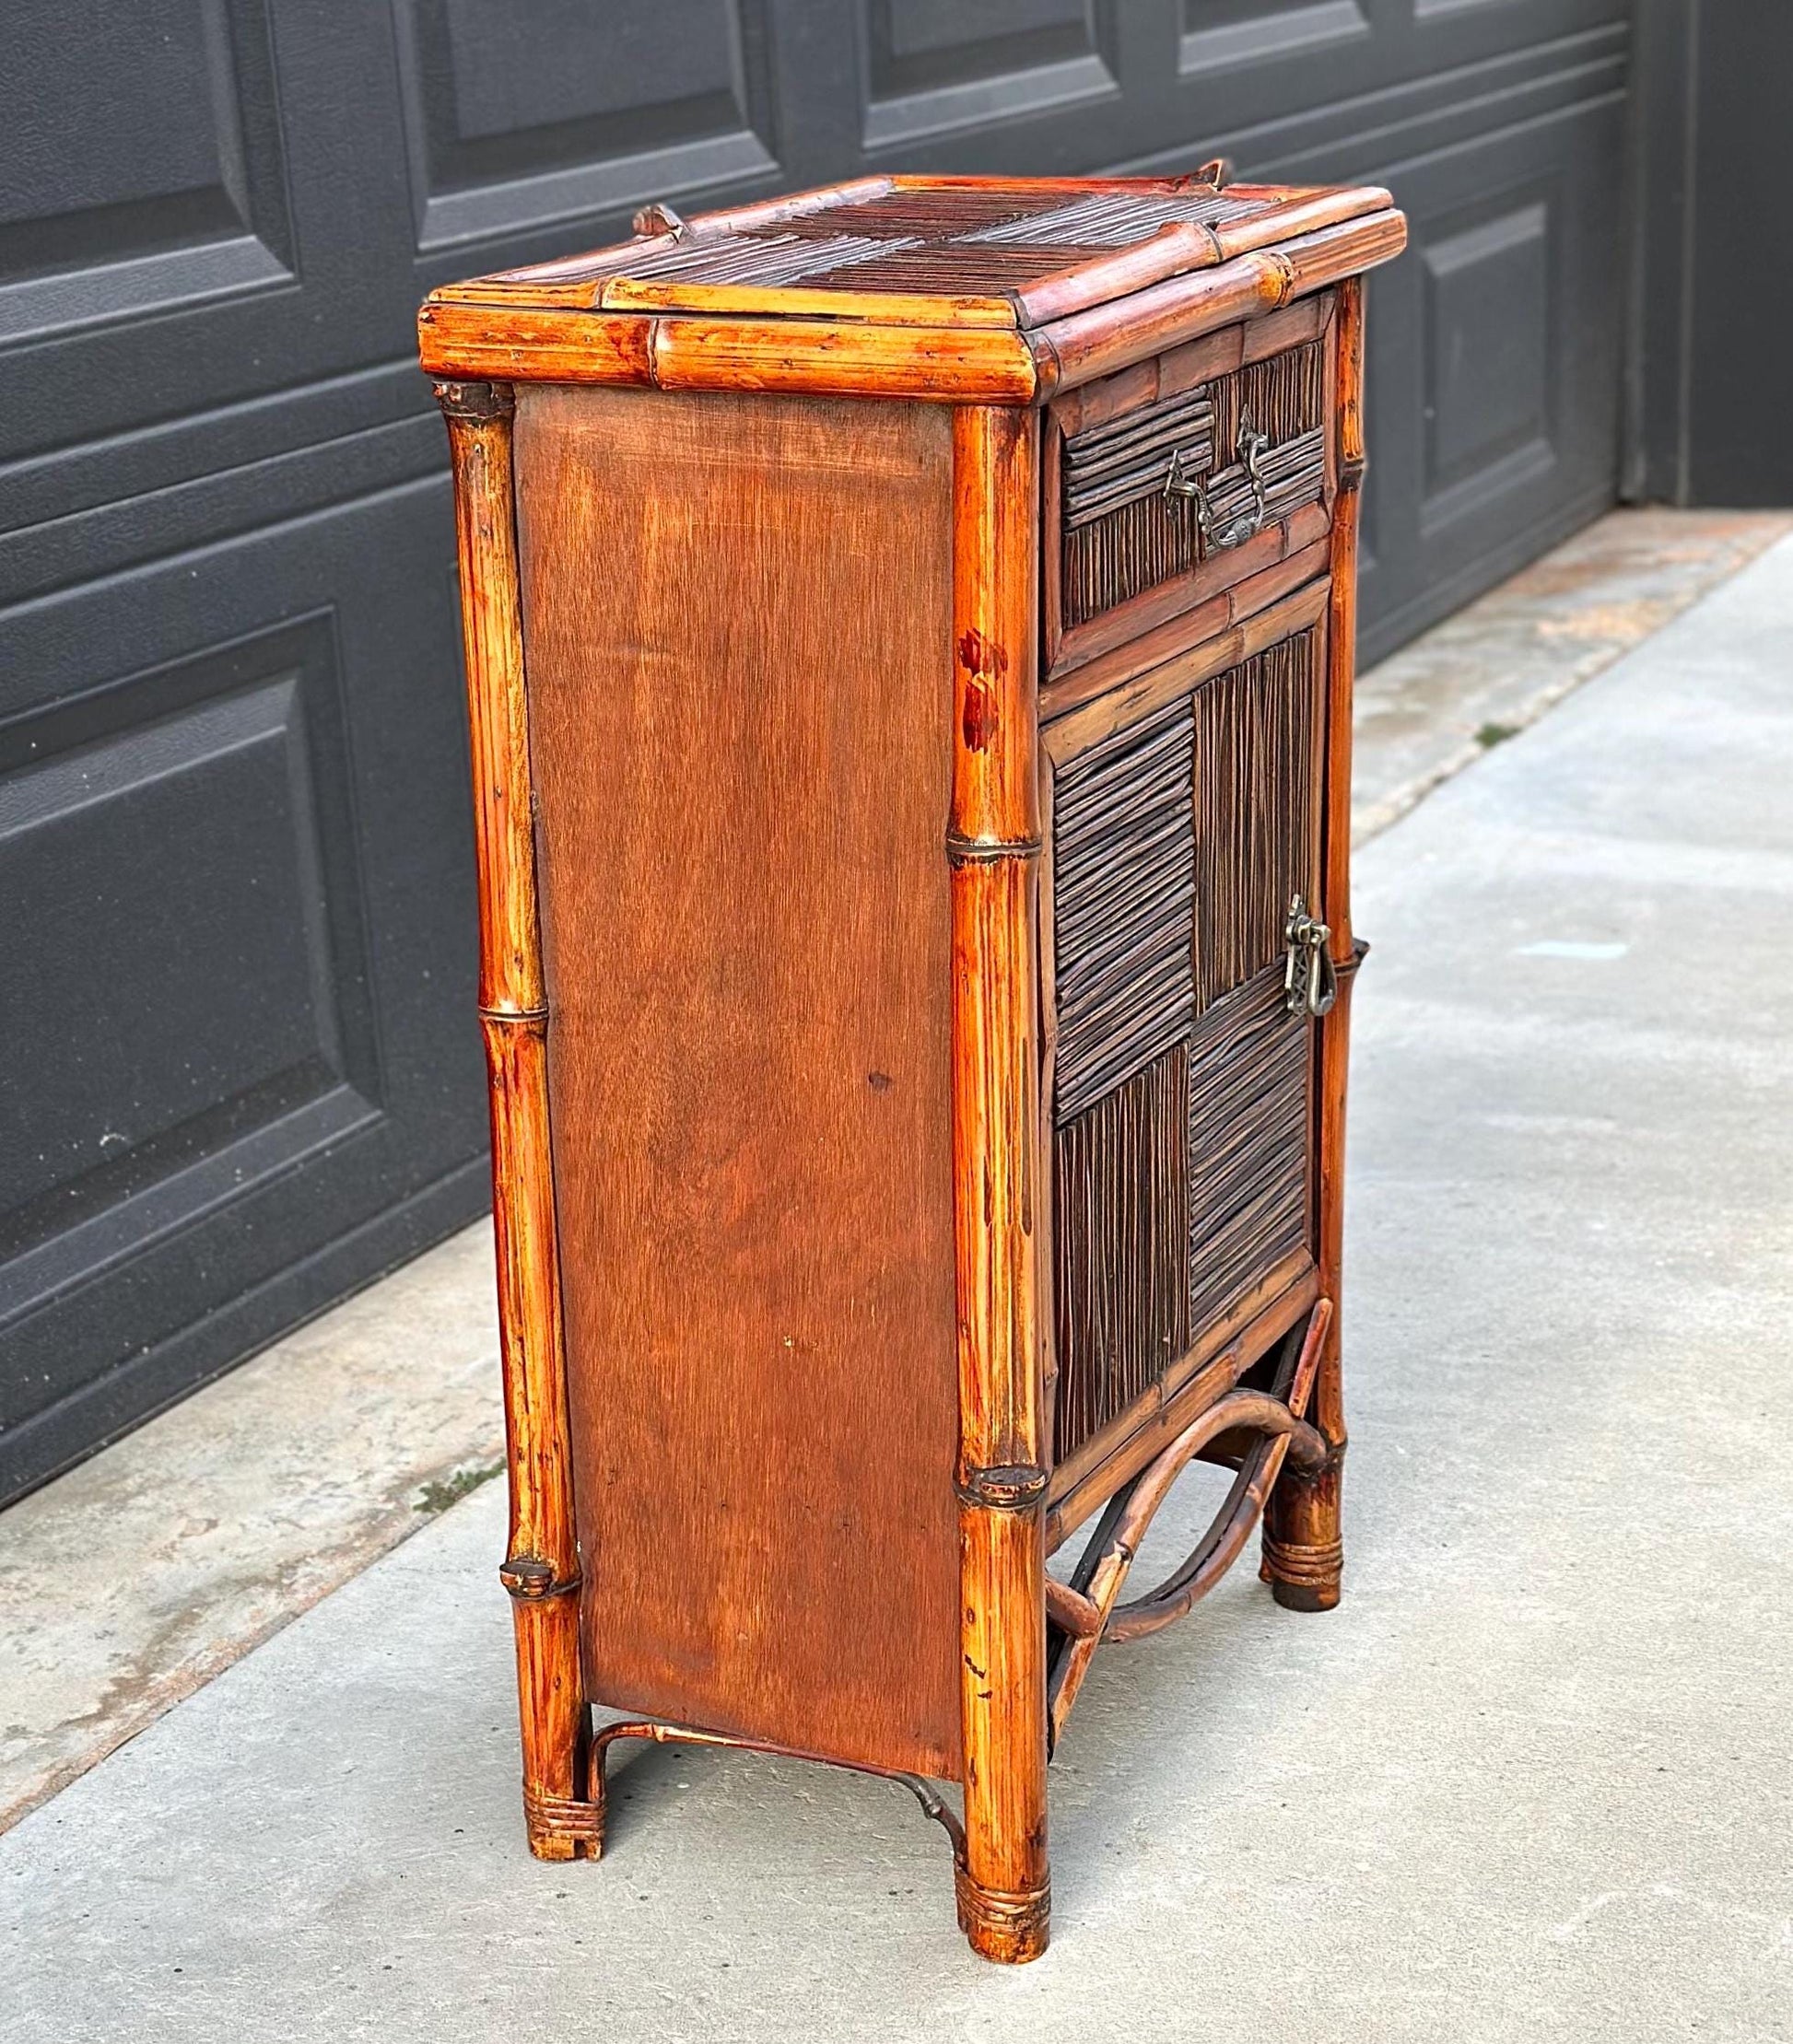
x=909 y=647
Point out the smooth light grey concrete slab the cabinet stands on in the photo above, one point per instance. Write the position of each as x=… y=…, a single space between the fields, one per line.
x=1528 y=1783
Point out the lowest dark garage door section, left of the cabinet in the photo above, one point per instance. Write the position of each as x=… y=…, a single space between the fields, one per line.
x=242 y=874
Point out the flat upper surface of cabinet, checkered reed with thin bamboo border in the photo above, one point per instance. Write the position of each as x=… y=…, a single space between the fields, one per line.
x=929 y=250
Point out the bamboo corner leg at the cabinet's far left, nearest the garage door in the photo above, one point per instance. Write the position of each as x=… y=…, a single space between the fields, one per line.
x=543 y=1563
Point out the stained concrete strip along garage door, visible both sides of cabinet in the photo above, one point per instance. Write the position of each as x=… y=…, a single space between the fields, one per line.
x=208 y=1530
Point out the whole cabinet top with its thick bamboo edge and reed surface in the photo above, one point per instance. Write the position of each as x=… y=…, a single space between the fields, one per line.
x=974 y=291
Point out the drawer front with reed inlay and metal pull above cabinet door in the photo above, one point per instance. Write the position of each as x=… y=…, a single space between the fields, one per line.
x=1183 y=477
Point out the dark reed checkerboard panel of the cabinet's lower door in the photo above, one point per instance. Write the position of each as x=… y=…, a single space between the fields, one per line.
x=1183 y=1115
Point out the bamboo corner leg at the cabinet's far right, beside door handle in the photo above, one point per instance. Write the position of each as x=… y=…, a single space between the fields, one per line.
x=1303 y=1544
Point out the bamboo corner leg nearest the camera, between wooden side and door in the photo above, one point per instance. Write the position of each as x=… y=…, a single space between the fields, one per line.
x=1005 y=1892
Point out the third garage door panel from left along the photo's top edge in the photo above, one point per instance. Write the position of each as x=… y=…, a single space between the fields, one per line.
x=935 y=66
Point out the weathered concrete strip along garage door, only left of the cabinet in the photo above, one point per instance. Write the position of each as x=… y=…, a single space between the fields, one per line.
x=138 y=1577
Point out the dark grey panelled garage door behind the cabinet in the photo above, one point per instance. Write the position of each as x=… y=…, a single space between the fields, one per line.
x=242 y=1070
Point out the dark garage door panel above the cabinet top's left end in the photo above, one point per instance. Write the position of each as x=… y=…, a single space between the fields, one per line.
x=543 y=111
